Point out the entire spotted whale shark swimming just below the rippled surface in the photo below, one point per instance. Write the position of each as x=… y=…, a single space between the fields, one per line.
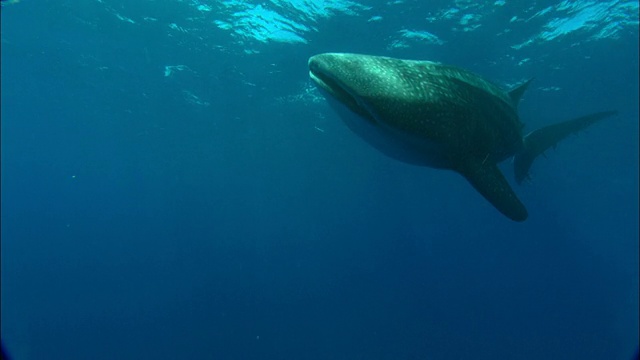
x=440 y=116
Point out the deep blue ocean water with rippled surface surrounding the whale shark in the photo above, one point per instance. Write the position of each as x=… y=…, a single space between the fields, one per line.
x=174 y=186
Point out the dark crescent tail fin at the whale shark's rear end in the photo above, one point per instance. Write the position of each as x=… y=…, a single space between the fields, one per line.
x=538 y=141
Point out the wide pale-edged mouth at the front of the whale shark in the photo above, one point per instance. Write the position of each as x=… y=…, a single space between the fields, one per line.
x=338 y=90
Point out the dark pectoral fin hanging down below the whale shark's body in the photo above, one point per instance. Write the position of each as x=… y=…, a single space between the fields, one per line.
x=488 y=180
